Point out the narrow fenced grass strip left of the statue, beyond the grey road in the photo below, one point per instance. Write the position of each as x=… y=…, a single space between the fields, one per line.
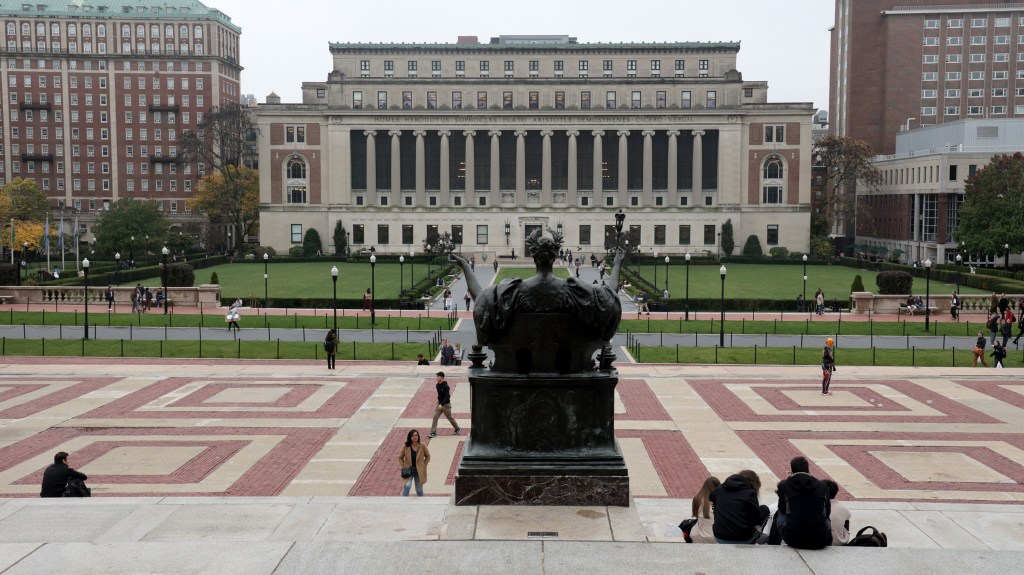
x=156 y=319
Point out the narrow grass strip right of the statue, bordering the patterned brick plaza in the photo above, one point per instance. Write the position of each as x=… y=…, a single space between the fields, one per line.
x=810 y=360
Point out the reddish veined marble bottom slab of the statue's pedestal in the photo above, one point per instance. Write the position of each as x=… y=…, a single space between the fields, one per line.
x=542 y=491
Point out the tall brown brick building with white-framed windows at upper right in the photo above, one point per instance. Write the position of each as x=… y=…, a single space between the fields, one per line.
x=904 y=64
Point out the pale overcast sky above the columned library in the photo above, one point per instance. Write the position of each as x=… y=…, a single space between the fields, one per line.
x=784 y=43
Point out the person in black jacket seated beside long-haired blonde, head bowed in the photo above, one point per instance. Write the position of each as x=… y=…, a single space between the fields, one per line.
x=739 y=515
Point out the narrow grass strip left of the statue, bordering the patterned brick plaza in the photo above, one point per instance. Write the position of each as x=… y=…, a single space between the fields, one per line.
x=237 y=349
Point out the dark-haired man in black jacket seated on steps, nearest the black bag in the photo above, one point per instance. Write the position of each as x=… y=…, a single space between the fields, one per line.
x=803 y=509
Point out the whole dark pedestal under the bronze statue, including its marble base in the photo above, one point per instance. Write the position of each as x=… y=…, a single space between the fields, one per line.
x=542 y=440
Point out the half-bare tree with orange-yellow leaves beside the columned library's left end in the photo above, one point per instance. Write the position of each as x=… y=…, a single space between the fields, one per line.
x=221 y=145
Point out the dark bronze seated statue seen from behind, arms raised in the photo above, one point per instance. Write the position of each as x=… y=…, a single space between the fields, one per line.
x=545 y=324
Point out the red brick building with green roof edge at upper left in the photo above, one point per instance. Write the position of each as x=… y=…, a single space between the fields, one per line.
x=97 y=94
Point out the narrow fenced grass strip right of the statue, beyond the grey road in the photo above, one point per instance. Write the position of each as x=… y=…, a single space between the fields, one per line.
x=941 y=326
